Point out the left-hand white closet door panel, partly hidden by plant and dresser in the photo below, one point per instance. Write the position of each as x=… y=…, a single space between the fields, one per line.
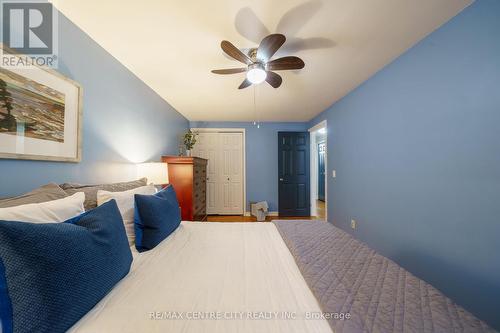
x=207 y=147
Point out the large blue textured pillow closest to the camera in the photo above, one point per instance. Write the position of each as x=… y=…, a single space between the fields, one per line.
x=52 y=274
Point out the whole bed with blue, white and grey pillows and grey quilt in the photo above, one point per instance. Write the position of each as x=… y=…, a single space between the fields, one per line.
x=285 y=276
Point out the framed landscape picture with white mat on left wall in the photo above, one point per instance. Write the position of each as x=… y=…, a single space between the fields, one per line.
x=40 y=115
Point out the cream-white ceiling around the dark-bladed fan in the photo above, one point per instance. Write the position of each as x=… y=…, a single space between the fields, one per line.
x=173 y=44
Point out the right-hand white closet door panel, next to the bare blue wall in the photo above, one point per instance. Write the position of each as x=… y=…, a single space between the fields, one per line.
x=231 y=173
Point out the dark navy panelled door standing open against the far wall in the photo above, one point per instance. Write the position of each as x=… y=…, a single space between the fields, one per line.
x=293 y=174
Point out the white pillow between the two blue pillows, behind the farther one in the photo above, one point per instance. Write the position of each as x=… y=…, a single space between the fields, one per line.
x=125 y=202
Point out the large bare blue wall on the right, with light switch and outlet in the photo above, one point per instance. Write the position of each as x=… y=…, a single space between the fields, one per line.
x=417 y=154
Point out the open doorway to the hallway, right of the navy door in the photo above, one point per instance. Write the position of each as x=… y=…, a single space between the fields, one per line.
x=319 y=171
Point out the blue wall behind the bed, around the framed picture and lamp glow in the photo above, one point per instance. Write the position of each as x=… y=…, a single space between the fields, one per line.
x=124 y=121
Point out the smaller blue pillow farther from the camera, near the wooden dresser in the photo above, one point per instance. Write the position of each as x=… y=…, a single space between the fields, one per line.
x=156 y=217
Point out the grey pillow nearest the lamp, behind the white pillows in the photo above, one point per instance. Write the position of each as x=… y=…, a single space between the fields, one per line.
x=91 y=190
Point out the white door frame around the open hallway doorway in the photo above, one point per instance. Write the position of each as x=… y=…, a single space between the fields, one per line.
x=314 y=169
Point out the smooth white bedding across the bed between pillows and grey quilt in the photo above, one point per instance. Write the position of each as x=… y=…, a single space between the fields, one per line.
x=237 y=272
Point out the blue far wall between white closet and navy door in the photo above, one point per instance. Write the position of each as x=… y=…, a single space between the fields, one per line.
x=261 y=156
